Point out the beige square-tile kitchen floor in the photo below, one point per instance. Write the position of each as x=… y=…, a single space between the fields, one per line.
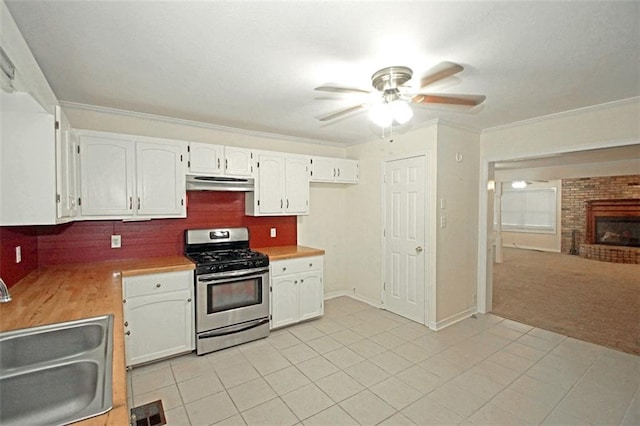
x=362 y=365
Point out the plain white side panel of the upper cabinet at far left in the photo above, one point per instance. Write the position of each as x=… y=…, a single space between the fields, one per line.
x=27 y=162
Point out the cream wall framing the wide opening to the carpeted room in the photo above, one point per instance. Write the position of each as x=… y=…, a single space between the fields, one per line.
x=602 y=126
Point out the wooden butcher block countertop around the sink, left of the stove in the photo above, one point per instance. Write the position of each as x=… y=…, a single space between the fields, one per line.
x=70 y=292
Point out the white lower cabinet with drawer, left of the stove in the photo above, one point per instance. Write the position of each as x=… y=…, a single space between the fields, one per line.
x=158 y=315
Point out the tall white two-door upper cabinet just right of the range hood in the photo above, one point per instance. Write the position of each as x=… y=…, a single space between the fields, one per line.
x=282 y=186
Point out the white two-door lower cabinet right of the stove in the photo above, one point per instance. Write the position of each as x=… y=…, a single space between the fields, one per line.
x=297 y=291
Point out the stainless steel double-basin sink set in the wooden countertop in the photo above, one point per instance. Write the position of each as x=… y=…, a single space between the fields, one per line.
x=56 y=374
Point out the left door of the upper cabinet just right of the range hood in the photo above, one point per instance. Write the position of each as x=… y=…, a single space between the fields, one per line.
x=270 y=184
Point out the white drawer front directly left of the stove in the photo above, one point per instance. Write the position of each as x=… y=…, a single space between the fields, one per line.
x=142 y=285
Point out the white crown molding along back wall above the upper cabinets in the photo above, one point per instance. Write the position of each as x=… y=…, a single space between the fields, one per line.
x=193 y=123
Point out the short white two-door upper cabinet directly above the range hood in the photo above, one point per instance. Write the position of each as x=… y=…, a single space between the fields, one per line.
x=218 y=160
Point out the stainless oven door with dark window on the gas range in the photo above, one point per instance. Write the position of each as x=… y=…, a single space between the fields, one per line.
x=225 y=299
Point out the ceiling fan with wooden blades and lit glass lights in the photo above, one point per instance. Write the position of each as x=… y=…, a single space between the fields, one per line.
x=391 y=101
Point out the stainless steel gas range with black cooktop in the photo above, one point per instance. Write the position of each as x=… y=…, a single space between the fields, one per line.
x=231 y=288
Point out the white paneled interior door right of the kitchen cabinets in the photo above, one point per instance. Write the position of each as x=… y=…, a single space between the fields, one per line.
x=404 y=285
